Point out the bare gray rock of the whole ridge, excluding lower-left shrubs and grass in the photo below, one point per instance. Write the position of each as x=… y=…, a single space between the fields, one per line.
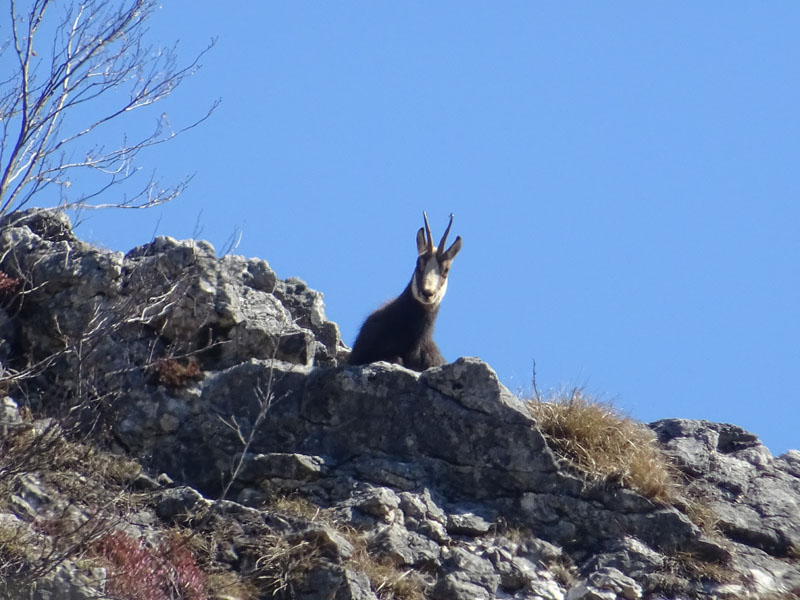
x=201 y=365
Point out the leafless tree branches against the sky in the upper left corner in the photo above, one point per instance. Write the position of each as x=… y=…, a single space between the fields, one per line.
x=61 y=98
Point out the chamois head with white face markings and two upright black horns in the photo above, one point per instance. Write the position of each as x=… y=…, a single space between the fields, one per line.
x=429 y=282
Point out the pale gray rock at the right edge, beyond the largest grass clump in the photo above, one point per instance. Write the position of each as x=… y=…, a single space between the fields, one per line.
x=754 y=497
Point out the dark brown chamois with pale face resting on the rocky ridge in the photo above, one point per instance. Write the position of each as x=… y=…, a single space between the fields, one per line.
x=401 y=331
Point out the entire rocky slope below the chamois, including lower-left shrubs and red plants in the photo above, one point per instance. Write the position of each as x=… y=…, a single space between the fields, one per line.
x=286 y=473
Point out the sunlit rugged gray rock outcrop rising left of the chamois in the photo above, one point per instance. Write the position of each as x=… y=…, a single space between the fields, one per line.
x=166 y=292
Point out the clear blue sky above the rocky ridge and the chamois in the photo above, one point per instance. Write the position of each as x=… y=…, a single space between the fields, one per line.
x=625 y=176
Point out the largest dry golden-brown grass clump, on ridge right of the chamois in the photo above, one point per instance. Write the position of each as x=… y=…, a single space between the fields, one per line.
x=606 y=445
